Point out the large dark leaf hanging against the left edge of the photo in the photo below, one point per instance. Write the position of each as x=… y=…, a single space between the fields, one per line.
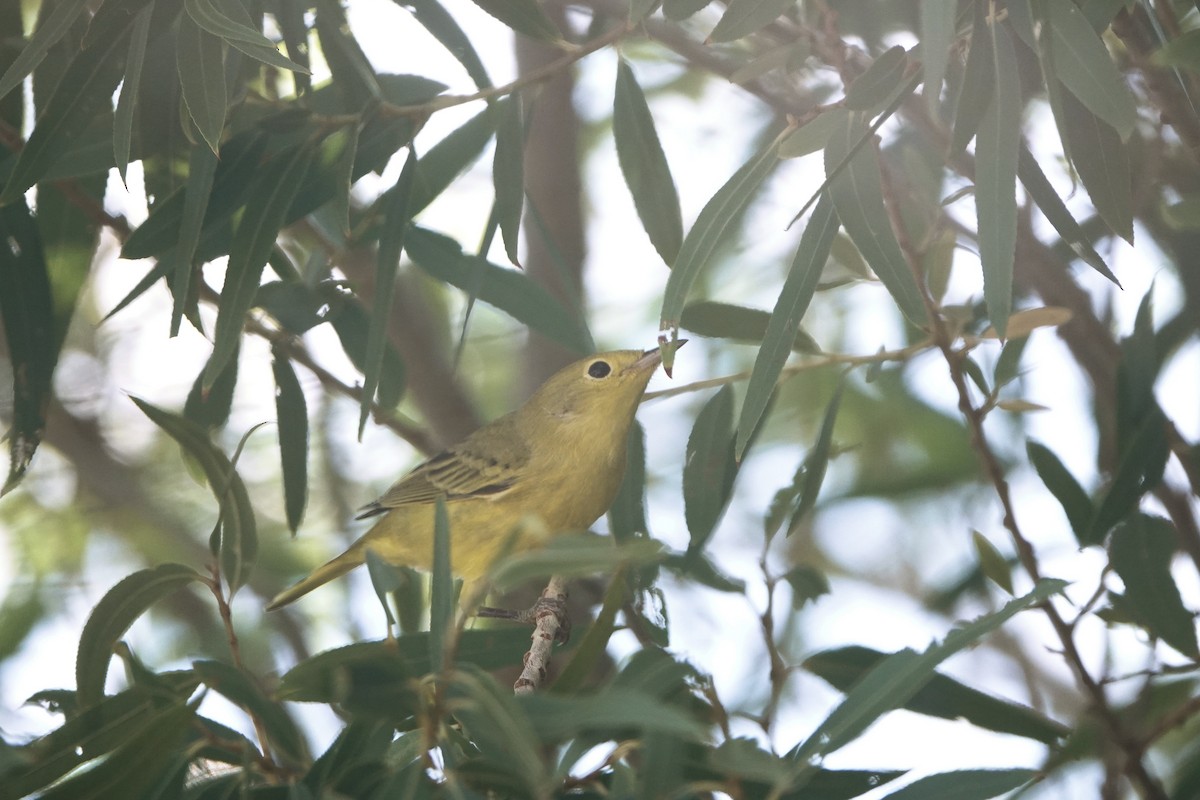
x=27 y=305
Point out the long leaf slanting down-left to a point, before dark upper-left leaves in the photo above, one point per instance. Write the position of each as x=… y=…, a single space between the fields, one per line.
x=266 y=213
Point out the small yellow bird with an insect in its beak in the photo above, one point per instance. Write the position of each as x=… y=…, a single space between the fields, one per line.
x=560 y=458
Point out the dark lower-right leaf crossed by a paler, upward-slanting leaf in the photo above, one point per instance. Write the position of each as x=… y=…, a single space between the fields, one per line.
x=943 y=697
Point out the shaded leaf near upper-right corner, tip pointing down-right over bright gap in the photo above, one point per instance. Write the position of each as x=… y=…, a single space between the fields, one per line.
x=1102 y=163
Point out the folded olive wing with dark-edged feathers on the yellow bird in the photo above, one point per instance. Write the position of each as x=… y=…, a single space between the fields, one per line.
x=483 y=466
